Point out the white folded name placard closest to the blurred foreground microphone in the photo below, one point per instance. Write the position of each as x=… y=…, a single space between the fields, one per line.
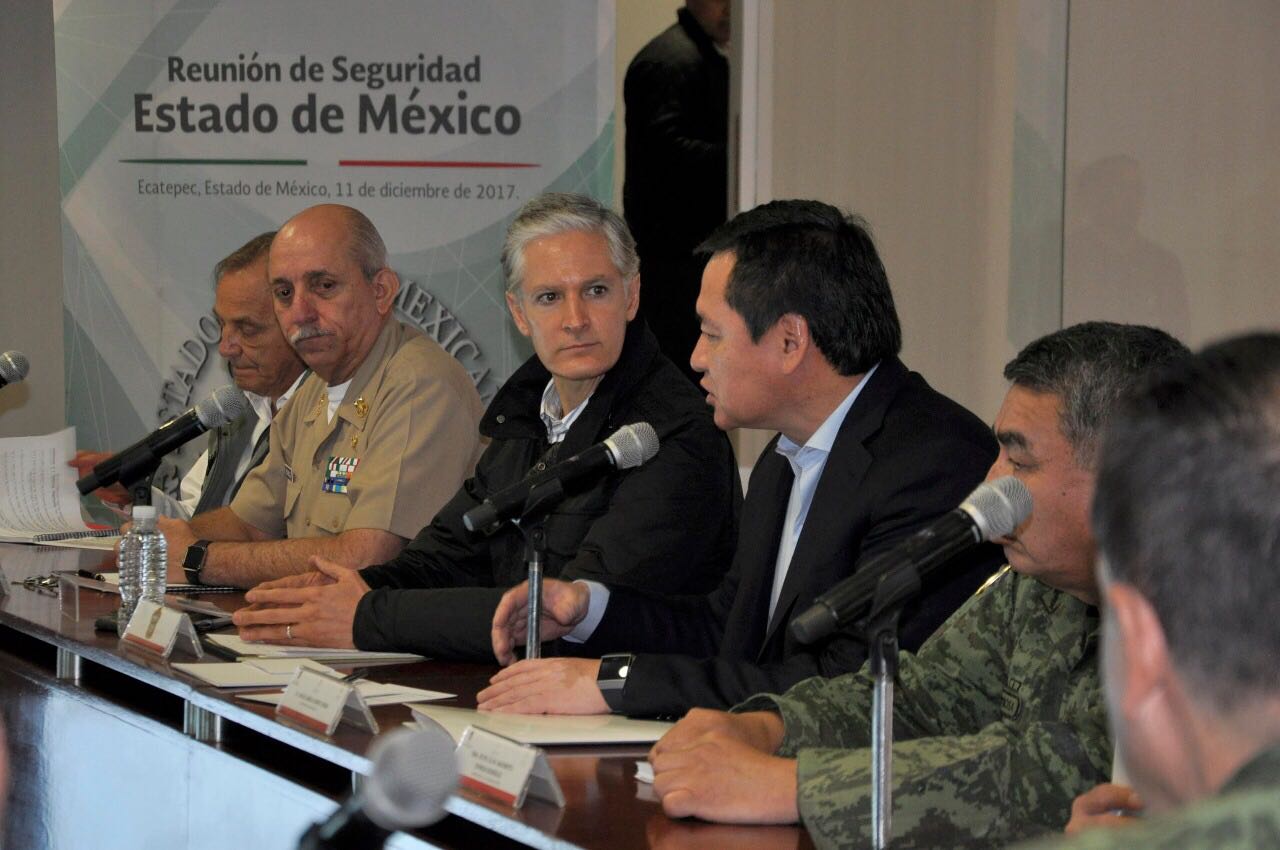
x=506 y=770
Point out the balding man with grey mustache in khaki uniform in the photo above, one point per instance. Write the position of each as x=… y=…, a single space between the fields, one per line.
x=372 y=444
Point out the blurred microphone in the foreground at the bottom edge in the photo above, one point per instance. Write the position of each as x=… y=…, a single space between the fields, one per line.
x=415 y=771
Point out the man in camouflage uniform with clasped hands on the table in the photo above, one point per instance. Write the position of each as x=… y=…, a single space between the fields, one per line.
x=999 y=719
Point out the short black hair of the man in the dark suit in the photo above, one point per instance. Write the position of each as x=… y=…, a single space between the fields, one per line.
x=810 y=259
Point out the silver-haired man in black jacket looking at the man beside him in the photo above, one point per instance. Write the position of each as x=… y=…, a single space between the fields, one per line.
x=668 y=525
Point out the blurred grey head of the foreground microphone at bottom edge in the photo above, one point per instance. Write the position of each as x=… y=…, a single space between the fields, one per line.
x=415 y=771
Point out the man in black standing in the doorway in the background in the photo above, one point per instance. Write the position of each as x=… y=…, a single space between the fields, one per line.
x=676 y=188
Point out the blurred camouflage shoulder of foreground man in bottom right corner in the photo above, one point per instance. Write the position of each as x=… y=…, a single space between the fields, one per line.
x=1244 y=816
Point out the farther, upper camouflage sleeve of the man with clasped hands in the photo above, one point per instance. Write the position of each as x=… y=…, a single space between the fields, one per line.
x=952 y=687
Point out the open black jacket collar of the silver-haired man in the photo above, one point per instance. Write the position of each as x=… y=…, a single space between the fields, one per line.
x=514 y=413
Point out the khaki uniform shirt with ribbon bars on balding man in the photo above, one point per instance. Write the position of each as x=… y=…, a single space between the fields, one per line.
x=401 y=444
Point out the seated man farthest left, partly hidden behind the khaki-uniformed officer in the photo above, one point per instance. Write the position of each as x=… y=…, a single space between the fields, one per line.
x=262 y=364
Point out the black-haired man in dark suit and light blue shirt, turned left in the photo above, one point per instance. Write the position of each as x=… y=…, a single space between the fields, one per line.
x=799 y=333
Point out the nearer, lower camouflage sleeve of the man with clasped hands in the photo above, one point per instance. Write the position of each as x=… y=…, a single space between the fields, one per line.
x=961 y=792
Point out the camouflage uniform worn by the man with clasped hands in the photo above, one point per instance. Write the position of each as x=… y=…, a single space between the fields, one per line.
x=999 y=724
